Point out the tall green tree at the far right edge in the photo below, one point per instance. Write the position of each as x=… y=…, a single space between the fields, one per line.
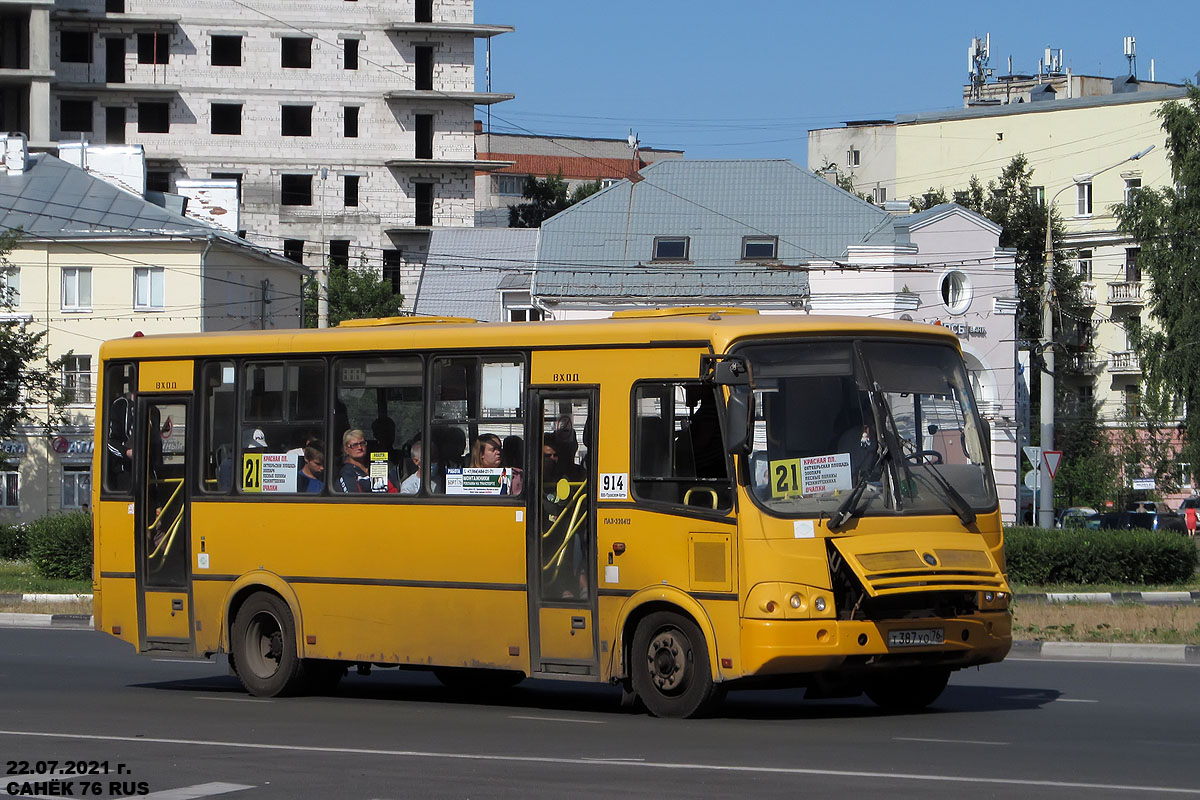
x=1166 y=222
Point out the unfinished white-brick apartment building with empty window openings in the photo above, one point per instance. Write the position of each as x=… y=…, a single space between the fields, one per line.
x=346 y=124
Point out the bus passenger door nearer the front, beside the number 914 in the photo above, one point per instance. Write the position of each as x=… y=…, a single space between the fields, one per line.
x=562 y=533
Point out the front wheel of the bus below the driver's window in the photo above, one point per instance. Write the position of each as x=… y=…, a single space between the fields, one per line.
x=670 y=667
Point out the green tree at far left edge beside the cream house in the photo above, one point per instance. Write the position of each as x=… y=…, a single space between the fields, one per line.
x=31 y=382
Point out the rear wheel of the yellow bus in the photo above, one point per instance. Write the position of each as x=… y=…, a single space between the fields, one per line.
x=265 y=646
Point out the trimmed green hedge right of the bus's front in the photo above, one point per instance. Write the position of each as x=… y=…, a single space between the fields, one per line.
x=1043 y=557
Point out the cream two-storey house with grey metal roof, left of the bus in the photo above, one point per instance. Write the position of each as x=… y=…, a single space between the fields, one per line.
x=94 y=263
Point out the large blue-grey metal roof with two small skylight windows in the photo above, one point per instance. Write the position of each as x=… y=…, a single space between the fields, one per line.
x=603 y=248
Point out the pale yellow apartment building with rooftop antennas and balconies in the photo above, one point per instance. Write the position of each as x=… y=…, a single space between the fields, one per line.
x=1079 y=149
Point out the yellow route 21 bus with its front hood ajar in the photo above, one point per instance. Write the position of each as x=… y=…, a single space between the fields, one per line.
x=675 y=501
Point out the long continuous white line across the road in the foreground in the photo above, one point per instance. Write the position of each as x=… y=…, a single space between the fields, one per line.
x=889 y=778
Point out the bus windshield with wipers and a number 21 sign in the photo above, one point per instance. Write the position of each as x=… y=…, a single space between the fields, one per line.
x=869 y=428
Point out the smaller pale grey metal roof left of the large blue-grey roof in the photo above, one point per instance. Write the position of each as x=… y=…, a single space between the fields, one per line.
x=469 y=267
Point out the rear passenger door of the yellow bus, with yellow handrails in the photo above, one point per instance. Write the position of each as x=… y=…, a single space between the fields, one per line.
x=161 y=510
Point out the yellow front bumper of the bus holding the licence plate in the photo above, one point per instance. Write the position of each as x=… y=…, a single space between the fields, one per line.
x=796 y=647
